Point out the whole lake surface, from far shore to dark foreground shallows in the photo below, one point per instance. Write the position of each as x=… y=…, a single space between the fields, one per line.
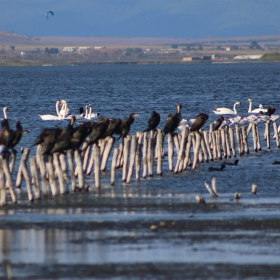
x=106 y=233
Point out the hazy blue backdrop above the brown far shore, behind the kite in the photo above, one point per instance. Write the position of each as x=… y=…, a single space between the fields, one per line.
x=142 y=18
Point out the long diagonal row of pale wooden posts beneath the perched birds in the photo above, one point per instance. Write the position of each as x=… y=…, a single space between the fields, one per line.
x=56 y=173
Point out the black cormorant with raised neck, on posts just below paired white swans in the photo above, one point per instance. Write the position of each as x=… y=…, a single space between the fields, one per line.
x=65 y=140
